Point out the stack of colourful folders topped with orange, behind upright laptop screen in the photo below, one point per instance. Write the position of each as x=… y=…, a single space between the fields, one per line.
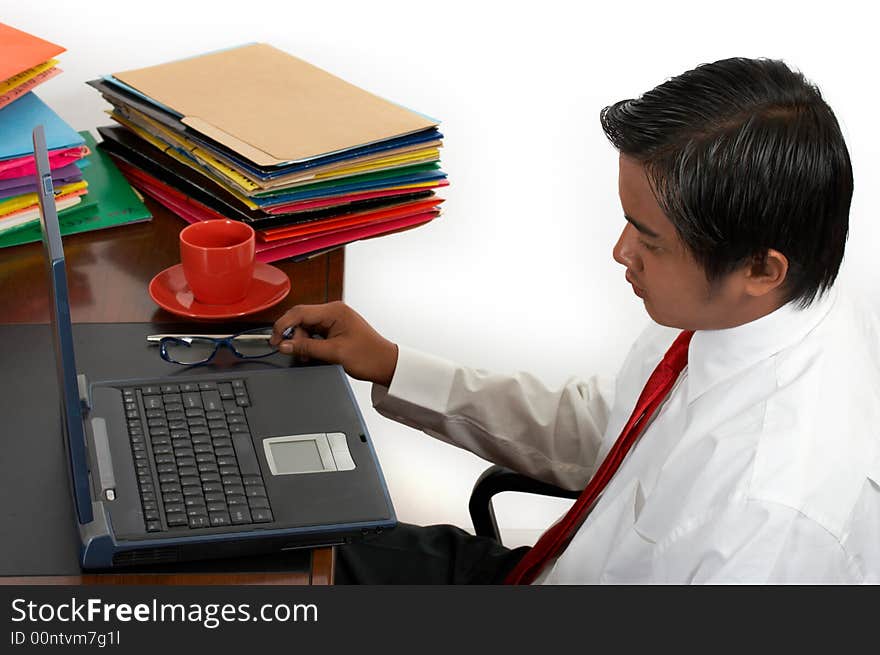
x=25 y=62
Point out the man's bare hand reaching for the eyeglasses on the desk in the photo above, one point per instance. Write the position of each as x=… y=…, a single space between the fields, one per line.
x=347 y=340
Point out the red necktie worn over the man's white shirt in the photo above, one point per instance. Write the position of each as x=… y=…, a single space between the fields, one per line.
x=555 y=539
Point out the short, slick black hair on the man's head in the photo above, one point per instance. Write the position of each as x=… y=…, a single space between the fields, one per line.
x=744 y=155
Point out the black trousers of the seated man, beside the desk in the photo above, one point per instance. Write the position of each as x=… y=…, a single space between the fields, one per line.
x=434 y=554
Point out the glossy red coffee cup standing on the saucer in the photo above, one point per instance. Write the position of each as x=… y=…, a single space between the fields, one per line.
x=218 y=260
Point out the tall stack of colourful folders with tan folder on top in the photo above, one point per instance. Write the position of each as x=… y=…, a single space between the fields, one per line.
x=251 y=133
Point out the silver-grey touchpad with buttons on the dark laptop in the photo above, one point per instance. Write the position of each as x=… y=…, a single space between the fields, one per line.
x=308 y=453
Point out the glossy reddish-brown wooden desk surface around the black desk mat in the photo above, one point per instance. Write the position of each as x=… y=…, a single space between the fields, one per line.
x=108 y=273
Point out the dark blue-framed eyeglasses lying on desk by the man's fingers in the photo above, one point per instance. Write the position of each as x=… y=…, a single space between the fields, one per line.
x=192 y=350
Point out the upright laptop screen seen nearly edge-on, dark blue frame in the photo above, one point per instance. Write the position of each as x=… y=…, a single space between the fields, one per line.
x=62 y=332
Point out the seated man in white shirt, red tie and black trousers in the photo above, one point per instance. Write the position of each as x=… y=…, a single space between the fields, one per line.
x=757 y=446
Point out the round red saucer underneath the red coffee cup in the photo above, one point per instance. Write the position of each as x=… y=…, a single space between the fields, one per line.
x=171 y=292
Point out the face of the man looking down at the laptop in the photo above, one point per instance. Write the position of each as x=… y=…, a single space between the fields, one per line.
x=659 y=267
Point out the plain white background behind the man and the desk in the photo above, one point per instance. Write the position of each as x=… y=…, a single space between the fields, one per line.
x=517 y=273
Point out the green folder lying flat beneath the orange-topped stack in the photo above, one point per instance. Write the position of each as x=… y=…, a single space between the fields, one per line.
x=110 y=201
